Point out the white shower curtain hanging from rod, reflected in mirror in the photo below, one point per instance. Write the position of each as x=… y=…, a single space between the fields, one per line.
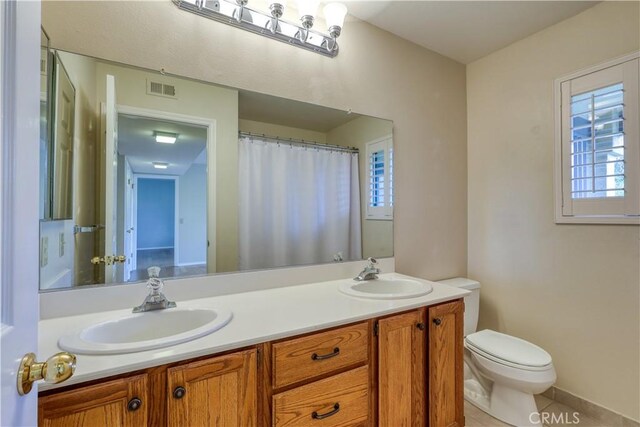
x=298 y=205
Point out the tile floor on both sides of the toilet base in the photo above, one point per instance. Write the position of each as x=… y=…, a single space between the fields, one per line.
x=551 y=411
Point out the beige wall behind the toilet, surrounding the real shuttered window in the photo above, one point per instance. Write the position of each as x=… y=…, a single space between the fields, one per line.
x=572 y=289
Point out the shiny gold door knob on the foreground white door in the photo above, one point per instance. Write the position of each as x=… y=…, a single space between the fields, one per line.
x=56 y=369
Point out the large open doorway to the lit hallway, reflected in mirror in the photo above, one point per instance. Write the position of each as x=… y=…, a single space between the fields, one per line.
x=162 y=195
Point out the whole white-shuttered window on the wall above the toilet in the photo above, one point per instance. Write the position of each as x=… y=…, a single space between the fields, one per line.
x=598 y=145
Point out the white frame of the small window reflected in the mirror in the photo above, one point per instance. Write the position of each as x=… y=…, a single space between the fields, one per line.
x=379 y=213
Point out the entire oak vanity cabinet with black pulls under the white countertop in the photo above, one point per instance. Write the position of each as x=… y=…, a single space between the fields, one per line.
x=401 y=370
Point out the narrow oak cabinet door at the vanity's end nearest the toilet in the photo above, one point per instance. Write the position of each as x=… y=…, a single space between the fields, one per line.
x=446 y=398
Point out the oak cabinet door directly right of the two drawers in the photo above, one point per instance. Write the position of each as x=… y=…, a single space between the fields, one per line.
x=401 y=370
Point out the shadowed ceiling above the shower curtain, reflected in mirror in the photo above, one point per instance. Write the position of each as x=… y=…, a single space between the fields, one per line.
x=287 y=112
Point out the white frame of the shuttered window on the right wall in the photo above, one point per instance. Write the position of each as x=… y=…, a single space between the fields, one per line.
x=562 y=169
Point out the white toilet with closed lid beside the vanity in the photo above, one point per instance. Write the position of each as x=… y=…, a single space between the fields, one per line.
x=501 y=372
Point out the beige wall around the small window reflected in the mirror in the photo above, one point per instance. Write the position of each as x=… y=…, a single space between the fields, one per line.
x=377 y=235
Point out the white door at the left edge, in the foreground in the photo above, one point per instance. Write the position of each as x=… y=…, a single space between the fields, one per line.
x=19 y=136
